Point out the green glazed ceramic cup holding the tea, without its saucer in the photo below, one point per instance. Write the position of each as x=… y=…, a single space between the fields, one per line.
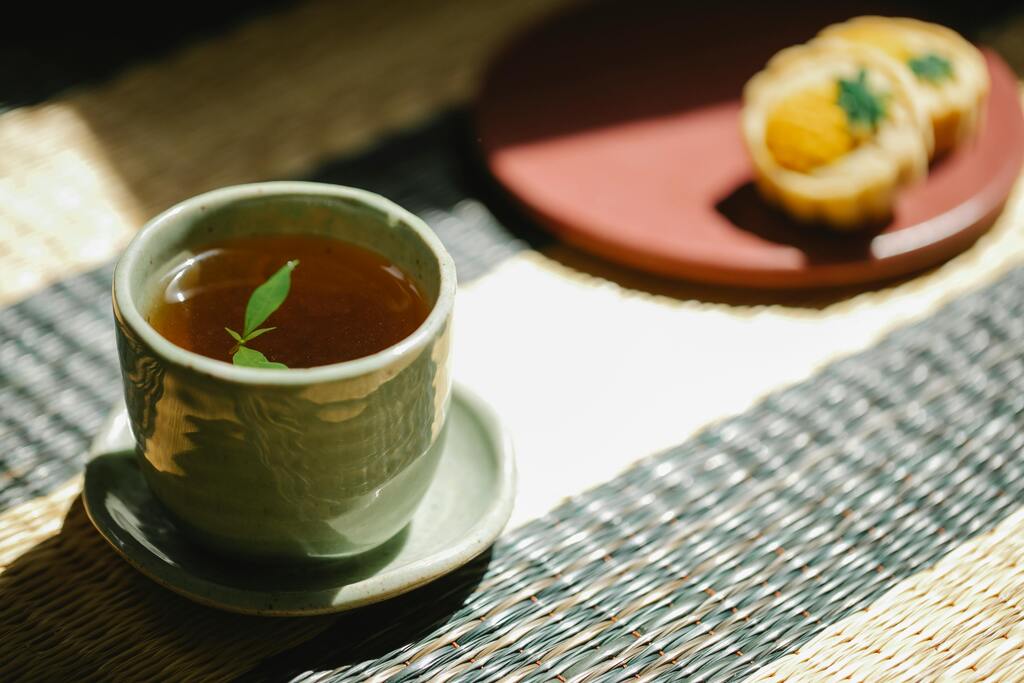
x=281 y=465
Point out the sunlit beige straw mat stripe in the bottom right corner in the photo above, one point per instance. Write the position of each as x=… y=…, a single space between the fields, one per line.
x=962 y=618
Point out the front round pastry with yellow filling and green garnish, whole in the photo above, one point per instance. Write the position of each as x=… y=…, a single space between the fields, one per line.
x=834 y=133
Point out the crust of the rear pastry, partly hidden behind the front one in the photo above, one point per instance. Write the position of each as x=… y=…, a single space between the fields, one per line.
x=954 y=105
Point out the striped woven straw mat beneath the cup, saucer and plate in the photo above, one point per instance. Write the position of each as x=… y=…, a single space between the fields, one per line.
x=714 y=484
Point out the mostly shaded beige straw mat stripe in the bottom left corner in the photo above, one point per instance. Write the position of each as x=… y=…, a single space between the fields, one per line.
x=69 y=614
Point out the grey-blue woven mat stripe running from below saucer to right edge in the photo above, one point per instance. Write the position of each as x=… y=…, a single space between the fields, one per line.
x=717 y=558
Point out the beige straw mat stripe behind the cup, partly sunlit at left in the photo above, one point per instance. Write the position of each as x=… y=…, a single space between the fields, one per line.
x=81 y=173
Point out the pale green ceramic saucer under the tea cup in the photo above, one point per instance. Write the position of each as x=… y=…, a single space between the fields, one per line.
x=463 y=513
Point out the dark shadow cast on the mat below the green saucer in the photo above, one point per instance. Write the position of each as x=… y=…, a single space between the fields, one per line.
x=72 y=610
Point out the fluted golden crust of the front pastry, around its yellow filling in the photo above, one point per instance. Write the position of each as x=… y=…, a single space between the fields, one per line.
x=859 y=188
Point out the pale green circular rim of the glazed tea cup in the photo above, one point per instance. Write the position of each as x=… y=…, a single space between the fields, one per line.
x=124 y=303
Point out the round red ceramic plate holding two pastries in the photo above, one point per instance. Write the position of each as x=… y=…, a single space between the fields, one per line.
x=618 y=129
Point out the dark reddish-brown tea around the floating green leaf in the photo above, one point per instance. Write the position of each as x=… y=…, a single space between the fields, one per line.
x=345 y=302
